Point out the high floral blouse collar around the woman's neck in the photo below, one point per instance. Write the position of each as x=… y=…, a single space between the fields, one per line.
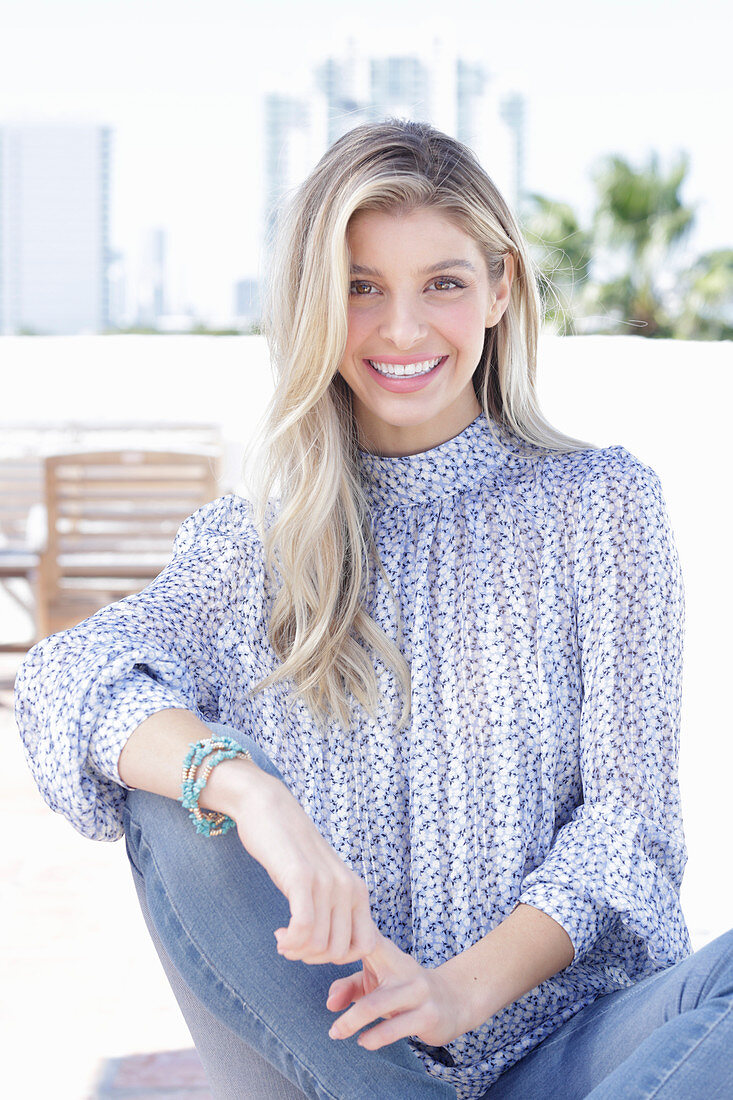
x=454 y=467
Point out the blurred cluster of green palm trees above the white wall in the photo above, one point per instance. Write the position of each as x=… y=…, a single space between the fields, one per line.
x=622 y=274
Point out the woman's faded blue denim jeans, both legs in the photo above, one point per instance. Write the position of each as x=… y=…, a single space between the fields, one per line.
x=261 y=1027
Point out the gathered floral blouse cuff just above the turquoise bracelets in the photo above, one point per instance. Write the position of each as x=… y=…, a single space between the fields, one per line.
x=125 y=706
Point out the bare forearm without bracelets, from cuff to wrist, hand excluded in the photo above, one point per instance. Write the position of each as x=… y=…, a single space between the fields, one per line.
x=527 y=949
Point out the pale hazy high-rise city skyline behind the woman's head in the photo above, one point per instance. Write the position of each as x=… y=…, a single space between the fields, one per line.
x=59 y=270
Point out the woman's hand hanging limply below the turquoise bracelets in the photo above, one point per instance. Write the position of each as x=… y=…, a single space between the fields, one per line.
x=331 y=921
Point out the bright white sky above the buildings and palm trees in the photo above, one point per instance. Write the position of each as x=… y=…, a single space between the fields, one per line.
x=182 y=83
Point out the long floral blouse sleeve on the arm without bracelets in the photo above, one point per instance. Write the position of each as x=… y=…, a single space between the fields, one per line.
x=619 y=861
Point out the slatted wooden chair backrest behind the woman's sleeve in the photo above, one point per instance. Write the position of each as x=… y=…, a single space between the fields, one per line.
x=112 y=520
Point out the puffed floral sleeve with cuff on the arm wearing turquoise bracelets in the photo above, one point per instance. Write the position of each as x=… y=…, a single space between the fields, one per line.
x=80 y=695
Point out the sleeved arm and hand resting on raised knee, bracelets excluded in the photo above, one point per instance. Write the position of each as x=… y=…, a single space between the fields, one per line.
x=116 y=702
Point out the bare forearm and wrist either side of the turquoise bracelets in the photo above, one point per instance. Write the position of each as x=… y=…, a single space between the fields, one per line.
x=152 y=761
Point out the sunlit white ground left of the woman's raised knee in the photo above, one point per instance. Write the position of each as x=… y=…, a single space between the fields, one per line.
x=87 y=1014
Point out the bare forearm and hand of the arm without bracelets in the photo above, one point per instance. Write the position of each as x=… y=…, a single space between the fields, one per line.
x=440 y=1005
